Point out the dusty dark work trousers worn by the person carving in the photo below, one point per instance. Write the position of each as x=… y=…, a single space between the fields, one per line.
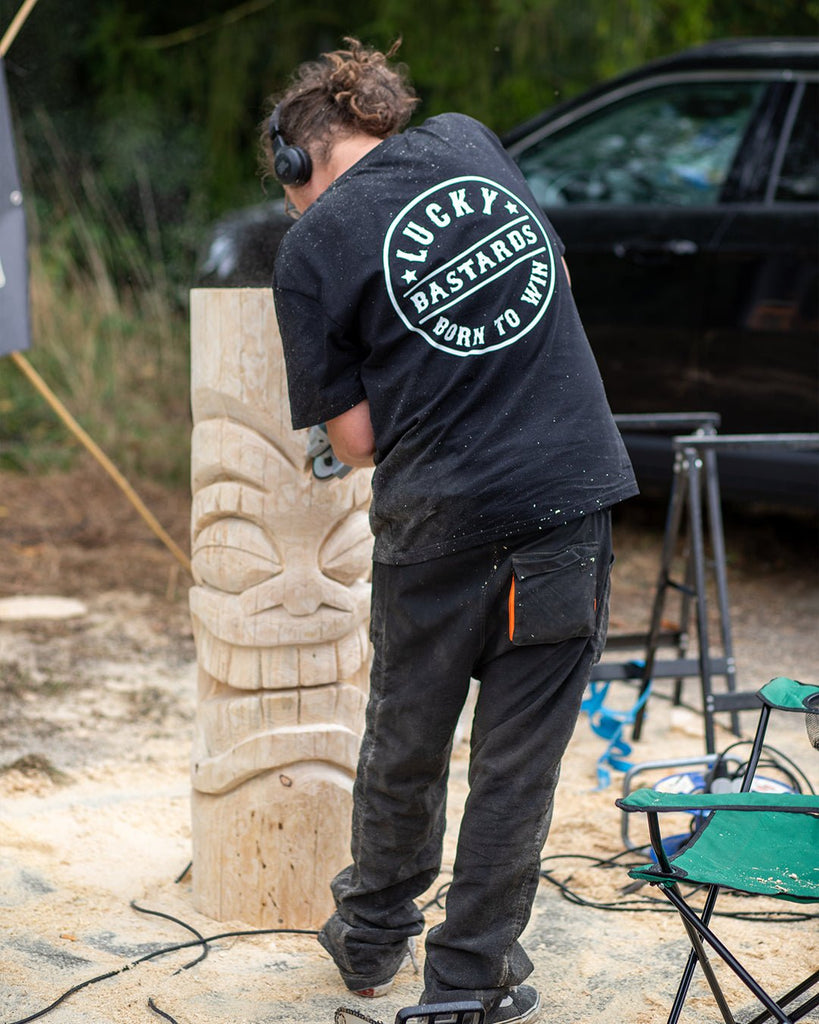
x=436 y=626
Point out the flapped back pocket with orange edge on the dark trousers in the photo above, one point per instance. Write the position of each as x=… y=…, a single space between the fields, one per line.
x=553 y=595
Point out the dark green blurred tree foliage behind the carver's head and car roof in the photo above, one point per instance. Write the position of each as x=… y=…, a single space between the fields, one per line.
x=161 y=102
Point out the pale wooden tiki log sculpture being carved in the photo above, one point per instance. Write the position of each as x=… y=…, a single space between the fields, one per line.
x=280 y=608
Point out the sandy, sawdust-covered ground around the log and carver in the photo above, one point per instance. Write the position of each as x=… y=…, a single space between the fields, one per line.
x=95 y=792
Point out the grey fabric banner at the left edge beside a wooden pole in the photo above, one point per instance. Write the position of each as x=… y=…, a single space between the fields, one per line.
x=15 y=324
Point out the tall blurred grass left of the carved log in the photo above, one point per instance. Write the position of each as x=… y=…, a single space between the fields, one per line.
x=116 y=356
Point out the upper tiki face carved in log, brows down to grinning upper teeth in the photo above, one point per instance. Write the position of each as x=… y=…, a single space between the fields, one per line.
x=281 y=562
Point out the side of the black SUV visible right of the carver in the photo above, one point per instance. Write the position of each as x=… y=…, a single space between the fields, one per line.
x=687 y=196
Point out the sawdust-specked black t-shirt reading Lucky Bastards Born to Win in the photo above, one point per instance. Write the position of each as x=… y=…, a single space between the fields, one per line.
x=427 y=281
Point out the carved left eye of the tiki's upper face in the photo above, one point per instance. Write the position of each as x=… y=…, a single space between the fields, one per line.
x=233 y=556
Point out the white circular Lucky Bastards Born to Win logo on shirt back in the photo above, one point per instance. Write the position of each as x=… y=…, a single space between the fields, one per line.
x=469 y=267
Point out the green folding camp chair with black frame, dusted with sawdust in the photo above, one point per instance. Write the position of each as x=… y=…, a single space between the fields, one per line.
x=755 y=843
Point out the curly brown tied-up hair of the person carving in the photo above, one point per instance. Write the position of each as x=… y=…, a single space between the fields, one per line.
x=343 y=93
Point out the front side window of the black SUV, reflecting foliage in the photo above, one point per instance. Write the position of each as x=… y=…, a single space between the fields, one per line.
x=671 y=146
